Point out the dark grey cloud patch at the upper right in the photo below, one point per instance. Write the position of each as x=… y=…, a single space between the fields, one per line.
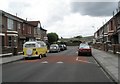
x=94 y=8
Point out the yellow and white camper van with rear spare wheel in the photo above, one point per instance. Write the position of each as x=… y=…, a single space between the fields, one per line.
x=34 y=49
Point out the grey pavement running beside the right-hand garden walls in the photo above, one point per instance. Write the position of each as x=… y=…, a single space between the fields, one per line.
x=109 y=62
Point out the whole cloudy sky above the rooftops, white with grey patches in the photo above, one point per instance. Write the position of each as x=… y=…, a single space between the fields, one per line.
x=68 y=18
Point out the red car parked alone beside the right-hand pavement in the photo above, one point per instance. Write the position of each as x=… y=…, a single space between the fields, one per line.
x=84 y=49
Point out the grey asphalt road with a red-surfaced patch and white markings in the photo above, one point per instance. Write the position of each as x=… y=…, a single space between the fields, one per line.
x=64 y=66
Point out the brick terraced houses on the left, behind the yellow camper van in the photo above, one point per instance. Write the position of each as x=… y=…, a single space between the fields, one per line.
x=15 y=31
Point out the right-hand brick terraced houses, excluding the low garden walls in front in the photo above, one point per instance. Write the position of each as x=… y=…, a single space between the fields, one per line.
x=110 y=31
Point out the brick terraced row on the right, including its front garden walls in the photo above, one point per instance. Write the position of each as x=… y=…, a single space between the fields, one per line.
x=108 y=36
